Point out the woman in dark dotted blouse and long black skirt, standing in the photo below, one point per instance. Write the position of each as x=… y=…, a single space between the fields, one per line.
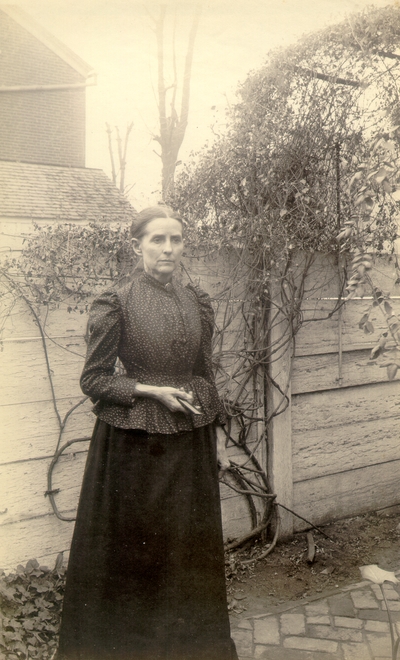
x=146 y=570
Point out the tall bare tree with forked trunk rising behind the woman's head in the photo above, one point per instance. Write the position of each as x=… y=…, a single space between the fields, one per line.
x=172 y=123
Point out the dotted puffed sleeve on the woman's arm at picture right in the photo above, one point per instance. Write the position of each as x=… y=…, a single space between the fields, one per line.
x=203 y=368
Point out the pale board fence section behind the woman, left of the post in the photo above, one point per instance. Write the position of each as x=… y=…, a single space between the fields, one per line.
x=30 y=429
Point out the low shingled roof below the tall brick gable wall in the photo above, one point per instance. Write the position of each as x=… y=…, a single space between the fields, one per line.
x=63 y=194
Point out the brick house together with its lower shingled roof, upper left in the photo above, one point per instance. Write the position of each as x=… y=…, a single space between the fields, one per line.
x=42 y=131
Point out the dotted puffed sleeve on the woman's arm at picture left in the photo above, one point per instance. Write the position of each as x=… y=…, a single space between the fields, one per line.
x=99 y=380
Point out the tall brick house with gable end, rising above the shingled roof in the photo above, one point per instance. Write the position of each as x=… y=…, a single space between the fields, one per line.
x=42 y=94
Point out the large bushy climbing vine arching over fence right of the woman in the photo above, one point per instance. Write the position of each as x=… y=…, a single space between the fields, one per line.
x=307 y=165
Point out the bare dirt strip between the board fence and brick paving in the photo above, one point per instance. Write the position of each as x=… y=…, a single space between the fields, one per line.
x=287 y=574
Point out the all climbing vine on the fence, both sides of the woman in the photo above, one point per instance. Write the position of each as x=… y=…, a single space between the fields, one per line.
x=307 y=165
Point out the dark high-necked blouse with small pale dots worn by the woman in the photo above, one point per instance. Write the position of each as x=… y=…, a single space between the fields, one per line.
x=162 y=336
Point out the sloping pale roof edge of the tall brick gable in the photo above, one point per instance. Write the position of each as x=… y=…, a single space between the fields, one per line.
x=29 y=24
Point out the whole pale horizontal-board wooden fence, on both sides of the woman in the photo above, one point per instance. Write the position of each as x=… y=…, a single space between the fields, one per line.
x=333 y=453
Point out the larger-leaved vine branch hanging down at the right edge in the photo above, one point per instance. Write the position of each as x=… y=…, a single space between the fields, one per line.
x=370 y=229
